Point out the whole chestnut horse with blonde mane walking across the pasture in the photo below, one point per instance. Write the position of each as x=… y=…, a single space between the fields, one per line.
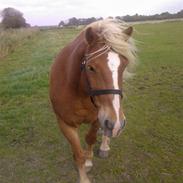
x=86 y=87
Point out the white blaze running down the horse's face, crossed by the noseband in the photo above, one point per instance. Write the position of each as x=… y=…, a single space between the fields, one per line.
x=114 y=63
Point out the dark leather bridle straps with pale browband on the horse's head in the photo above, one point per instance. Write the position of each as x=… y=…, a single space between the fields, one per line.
x=92 y=92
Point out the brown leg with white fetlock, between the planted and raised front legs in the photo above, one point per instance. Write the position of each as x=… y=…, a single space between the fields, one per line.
x=91 y=138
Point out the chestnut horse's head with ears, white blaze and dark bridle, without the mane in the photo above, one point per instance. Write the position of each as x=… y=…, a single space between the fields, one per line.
x=104 y=71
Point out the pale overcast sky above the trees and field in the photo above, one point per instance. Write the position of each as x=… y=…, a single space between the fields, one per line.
x=51 y=12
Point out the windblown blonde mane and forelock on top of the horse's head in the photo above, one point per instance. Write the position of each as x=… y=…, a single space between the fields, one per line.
x=111 y=32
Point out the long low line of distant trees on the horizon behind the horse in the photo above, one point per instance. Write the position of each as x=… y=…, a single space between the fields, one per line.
x=128 y=18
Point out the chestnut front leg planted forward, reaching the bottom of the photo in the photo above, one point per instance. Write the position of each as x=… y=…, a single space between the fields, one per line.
x=79 y=156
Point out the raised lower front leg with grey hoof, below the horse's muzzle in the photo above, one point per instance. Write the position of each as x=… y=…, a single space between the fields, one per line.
x=104 y=147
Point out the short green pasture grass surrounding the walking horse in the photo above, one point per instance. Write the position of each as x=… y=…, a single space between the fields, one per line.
x=32 y=149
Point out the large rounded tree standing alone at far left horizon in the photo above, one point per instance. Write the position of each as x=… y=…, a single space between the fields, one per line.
x=12 y=18
